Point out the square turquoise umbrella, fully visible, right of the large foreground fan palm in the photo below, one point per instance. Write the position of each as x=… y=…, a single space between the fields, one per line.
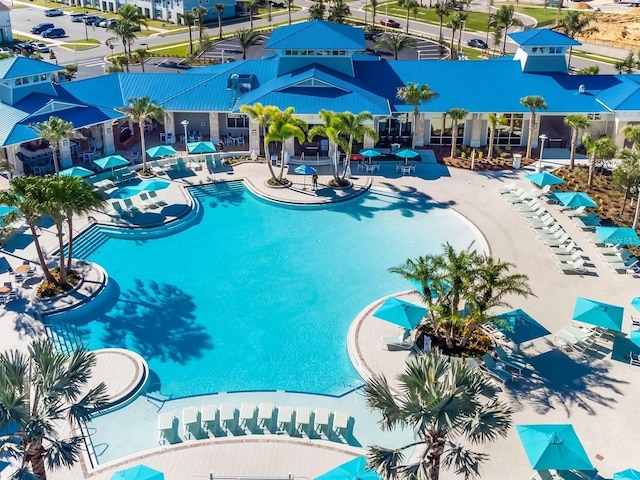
x=553 y=447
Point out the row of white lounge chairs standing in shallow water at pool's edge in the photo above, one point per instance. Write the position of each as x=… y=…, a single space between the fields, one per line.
x=266 y=418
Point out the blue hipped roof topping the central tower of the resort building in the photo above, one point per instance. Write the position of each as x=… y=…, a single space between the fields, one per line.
x=316 y=35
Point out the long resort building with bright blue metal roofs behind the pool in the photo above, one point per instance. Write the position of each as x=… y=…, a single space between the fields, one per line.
x=321 y=65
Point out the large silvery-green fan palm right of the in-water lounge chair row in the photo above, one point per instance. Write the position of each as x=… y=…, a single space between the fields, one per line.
x=448 y=405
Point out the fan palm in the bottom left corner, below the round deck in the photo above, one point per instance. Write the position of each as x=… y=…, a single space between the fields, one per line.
x=38 y=391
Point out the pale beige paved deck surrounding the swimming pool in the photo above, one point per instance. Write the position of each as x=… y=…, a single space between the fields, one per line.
x=597 y=394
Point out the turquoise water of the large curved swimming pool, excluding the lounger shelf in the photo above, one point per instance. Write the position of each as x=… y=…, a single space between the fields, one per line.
x=258 y=296
